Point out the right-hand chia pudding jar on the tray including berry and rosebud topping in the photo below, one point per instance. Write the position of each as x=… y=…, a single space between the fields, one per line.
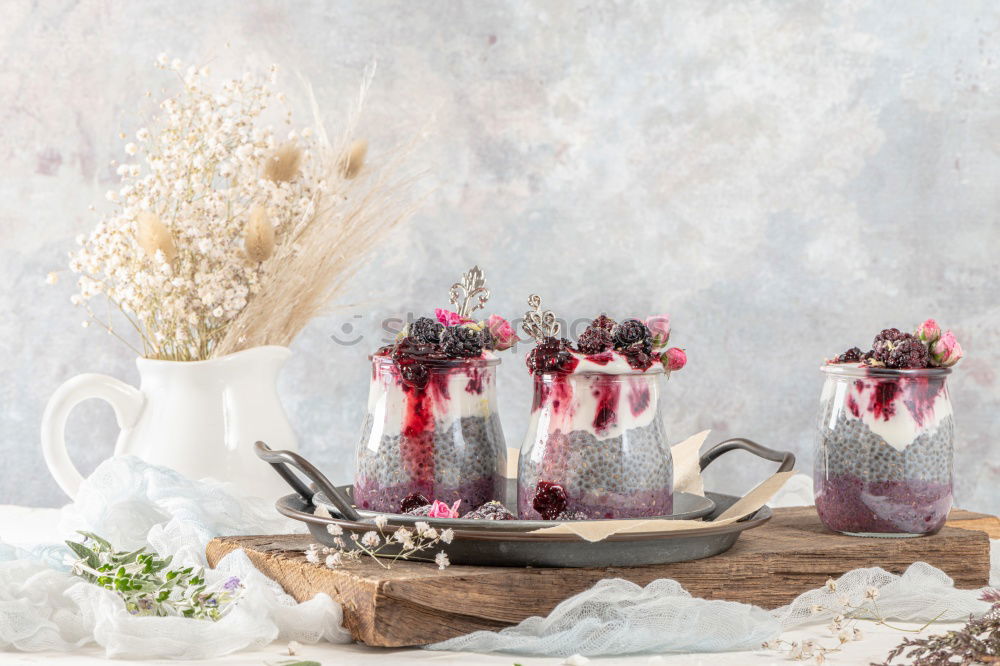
x=596 y=446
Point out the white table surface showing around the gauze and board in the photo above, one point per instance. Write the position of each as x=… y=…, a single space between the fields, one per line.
x=22 y=526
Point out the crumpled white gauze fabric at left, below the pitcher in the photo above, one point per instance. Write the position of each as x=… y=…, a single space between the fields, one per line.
x=134 y=504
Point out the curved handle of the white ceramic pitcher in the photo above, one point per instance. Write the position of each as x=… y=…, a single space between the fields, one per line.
x=124 y=399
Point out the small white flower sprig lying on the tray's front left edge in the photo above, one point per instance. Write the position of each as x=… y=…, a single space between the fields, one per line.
x=374 y=543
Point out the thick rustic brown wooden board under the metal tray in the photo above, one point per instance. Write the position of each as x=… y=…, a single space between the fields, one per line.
x=415 y=603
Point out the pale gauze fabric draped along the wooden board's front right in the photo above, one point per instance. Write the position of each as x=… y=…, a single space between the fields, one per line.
x=616 y=617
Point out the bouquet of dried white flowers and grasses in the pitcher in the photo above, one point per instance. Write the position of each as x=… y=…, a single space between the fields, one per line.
x=226 y=233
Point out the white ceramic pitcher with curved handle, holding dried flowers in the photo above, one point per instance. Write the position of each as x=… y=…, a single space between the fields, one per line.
x=200 y=418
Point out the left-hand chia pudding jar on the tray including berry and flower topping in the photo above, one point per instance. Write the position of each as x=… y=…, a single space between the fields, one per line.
x=432 y=429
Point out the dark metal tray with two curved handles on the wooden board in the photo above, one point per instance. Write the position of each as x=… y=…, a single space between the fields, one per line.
x=482 y=542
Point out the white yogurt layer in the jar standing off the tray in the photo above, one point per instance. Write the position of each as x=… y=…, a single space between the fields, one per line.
x=901 y=428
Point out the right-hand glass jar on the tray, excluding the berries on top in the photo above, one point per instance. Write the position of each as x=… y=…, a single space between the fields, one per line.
x=601 y=438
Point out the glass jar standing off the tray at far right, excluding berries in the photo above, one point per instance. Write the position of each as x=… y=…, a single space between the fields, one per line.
x=884 y=451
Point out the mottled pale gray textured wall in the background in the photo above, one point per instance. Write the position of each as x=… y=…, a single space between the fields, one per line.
x=785 y=178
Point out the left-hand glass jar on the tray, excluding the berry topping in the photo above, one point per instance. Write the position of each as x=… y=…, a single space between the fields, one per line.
x=436 y=433
